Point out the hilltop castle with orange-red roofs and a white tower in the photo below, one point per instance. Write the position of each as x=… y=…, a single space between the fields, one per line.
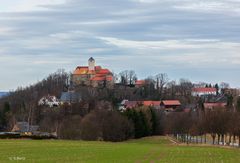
x=92 y=75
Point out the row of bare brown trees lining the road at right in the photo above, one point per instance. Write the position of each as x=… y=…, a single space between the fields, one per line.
x=221 y=124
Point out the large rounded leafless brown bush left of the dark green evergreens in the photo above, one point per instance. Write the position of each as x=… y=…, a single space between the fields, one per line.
x=106 y=125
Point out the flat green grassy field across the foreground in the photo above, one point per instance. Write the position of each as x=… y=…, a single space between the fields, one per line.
x=154 y=149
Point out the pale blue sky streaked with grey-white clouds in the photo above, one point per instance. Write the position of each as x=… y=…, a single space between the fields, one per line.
x=194 y=39
